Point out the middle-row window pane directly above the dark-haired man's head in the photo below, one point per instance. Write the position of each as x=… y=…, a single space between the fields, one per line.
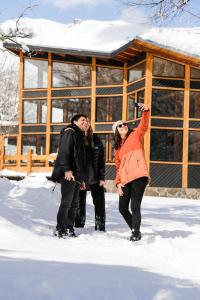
x=64 y=109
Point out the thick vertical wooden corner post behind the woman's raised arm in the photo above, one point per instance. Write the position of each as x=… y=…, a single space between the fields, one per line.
x=148 y=101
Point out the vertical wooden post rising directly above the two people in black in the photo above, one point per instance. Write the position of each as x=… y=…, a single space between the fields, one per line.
x=93 y=93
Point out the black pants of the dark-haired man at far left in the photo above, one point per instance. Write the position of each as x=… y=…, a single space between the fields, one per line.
x=69 y=204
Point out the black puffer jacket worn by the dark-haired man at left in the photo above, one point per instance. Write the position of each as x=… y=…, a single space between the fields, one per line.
x=71 y=154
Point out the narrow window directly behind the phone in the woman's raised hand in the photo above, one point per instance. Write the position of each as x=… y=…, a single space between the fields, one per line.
x=133 y=111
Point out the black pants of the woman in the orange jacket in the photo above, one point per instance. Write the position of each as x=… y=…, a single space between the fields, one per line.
x=133 y=193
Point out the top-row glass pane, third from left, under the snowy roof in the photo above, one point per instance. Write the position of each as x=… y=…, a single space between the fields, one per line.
x=109 y=76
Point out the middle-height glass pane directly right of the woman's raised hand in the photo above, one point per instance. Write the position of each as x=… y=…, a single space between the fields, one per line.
x=167 y=103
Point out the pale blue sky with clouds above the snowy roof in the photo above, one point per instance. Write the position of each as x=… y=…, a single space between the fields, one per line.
x=65 y=11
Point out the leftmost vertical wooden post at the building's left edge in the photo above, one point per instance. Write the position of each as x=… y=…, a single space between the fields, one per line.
x=20 y=109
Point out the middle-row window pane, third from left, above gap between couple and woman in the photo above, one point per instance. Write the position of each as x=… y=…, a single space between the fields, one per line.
x=108 y=109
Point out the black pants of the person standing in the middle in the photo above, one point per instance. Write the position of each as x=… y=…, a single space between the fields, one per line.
x=98 y=197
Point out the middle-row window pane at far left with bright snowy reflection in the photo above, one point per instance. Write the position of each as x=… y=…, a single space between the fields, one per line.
x=34 y=111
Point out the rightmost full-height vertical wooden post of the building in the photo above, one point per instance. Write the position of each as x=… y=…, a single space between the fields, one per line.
x=186 y=126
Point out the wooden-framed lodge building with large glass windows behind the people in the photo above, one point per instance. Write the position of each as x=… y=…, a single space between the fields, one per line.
x=56 y=83
